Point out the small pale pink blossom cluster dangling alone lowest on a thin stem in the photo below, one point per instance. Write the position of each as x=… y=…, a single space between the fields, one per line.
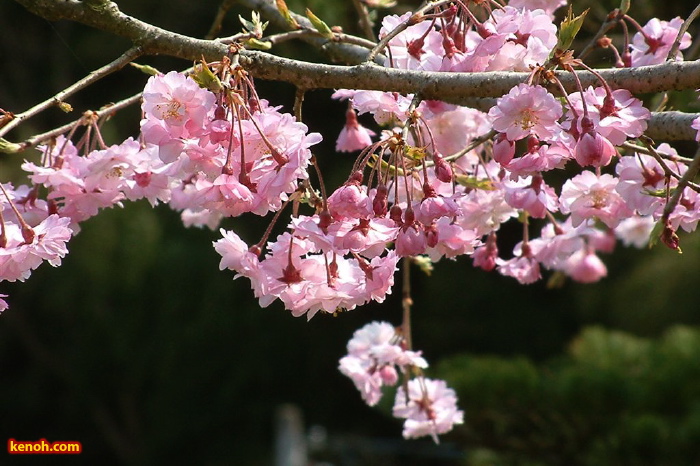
x=376 y=356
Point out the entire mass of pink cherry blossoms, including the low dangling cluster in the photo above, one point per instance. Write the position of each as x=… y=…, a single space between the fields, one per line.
x=420 y=192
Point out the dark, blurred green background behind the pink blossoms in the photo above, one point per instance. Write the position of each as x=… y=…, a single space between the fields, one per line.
x=142 y=350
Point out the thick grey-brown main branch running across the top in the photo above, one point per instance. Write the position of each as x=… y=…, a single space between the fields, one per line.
x=449 y=87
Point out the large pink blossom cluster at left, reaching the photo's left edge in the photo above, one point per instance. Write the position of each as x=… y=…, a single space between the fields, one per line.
x=209 y=155
